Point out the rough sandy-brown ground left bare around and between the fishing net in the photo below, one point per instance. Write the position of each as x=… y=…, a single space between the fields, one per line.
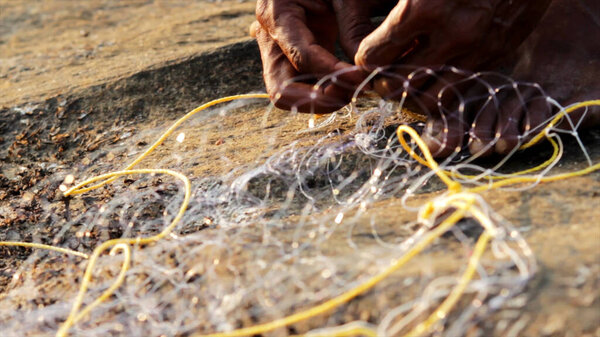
x=79 y=76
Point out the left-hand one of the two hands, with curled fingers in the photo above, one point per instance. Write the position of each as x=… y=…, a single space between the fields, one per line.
x=296 y=40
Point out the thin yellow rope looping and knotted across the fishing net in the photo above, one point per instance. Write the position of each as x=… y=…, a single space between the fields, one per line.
x=460 y=200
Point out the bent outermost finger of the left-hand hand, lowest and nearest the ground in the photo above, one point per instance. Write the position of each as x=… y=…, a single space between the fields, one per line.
x=285 y=94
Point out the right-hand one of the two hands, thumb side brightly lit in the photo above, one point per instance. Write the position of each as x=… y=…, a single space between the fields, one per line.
x=467 y=34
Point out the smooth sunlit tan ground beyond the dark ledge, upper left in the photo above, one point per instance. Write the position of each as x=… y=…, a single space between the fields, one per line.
x=53 y=47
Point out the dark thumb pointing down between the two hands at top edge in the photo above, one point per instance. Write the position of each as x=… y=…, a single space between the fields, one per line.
x=354 y=21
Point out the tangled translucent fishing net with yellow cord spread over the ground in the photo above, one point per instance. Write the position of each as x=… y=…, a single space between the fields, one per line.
x=353 y=229
